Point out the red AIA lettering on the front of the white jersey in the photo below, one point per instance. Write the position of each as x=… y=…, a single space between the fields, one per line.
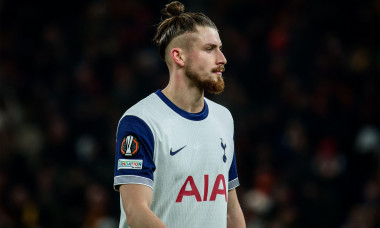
x=195 y=193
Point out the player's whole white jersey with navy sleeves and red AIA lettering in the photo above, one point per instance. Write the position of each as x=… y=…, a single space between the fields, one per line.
x=187 y=159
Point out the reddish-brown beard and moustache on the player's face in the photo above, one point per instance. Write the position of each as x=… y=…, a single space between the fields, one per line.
x=209 y=84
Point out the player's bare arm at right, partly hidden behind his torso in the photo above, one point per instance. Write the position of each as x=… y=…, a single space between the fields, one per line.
x=235 y=217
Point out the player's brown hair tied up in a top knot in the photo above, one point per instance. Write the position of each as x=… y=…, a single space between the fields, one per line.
x=175 y=22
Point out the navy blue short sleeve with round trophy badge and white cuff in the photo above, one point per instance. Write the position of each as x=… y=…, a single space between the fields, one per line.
x=134 y=153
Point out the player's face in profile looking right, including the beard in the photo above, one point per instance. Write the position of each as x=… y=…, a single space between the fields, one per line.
x=205 y=61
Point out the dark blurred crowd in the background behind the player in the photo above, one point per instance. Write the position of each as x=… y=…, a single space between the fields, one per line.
x=302 y=82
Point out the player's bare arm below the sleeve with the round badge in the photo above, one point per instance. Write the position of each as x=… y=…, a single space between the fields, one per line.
x=136 y=200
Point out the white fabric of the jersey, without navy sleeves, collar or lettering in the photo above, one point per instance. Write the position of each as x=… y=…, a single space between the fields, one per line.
x=201 y=158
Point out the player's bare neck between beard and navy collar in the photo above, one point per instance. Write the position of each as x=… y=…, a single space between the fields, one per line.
x=184 y=95
